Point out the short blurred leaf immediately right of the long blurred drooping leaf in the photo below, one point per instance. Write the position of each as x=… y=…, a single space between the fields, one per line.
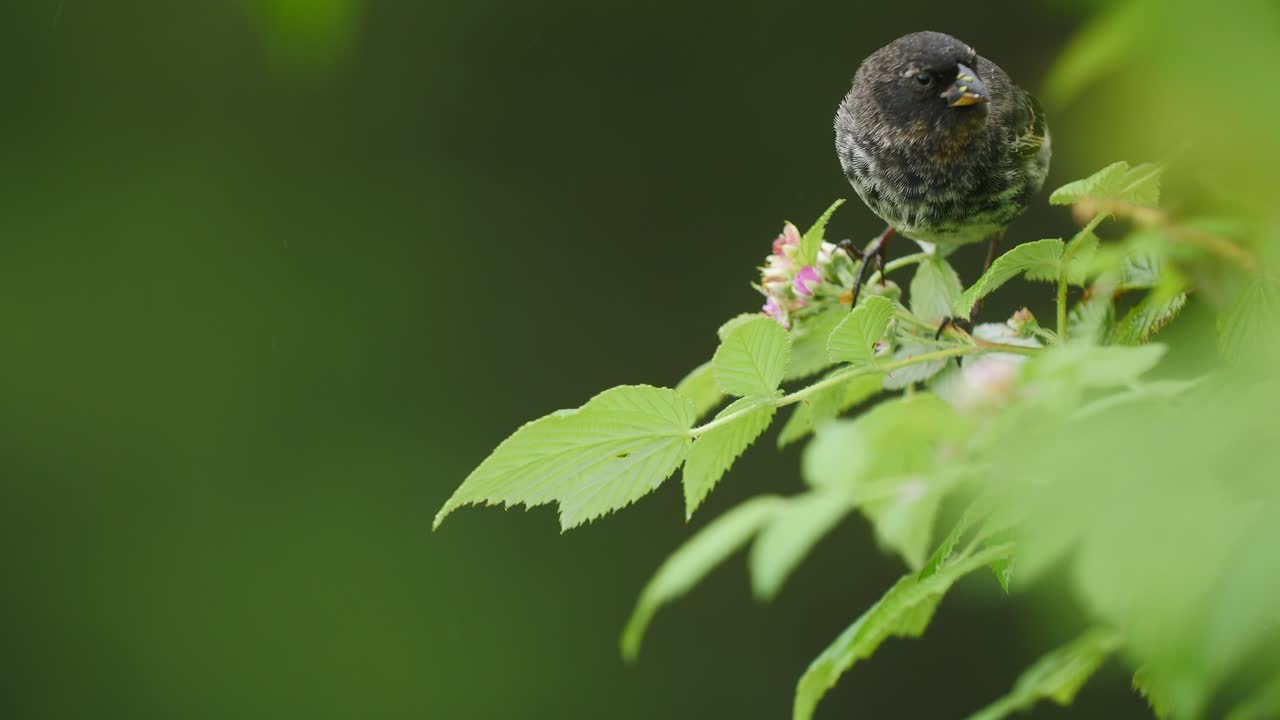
x=789 y=537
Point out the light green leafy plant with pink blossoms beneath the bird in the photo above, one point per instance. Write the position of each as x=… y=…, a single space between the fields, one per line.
x=1141 y=472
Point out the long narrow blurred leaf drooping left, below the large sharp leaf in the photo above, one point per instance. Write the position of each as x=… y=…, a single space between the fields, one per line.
x=693 y=562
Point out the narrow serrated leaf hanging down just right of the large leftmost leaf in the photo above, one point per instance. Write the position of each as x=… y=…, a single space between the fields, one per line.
x=716 y=450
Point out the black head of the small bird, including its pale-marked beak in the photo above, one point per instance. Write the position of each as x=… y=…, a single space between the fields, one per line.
x=926 y=80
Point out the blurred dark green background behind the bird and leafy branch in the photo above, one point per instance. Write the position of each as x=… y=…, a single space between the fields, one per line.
x=278 y=275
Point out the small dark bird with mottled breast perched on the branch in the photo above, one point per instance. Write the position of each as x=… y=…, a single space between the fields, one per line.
x=940 y=144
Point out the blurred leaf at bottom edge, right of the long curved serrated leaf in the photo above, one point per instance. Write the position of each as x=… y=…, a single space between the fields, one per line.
x=1058 y=676
